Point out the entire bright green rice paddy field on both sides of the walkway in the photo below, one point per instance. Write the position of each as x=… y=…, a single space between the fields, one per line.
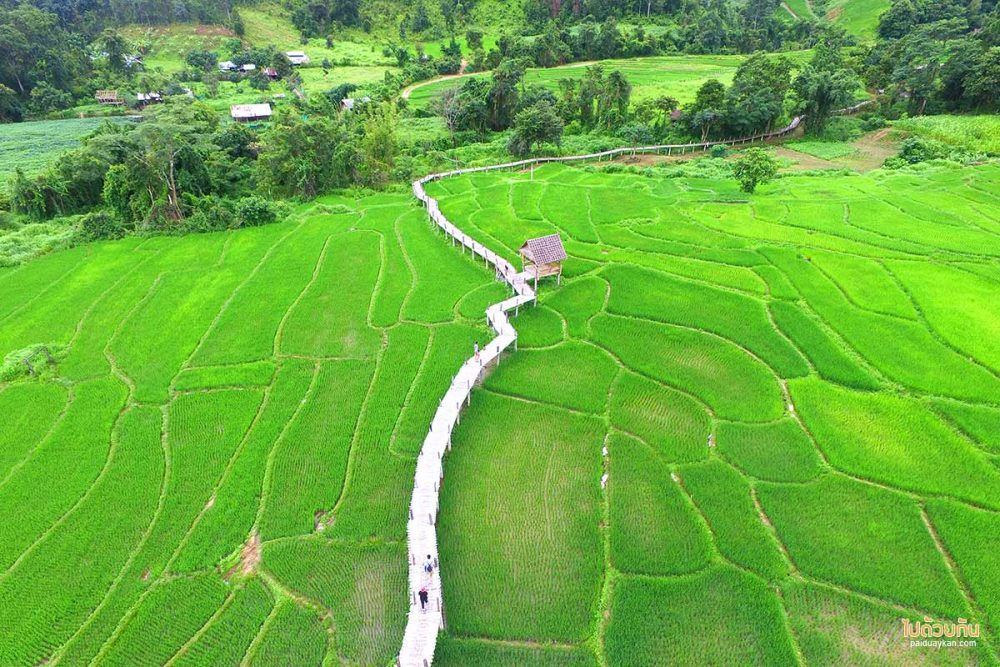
x=798 y=393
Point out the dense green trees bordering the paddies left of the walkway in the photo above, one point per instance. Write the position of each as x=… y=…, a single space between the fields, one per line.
x=181 y=169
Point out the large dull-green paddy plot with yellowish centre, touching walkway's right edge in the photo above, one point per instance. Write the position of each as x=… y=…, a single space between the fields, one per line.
x=520 y=547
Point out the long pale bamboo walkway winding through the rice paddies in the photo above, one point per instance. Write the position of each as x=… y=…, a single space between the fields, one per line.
x=422 y=626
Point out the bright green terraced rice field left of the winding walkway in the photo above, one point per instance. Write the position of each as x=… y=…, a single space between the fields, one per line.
x=217 y=470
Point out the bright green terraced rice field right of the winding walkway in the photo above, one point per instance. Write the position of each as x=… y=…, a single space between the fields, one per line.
x=796 y=398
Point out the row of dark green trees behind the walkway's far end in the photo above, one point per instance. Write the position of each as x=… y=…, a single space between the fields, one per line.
x=764 y=91
